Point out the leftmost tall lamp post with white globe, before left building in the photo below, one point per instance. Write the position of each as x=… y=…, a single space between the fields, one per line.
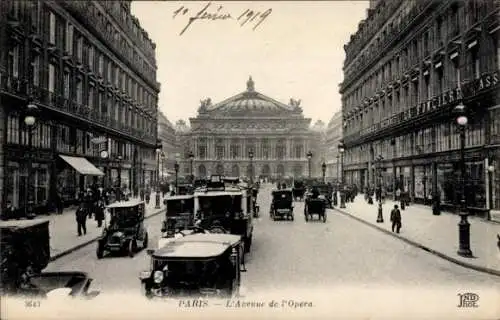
x=30 y=121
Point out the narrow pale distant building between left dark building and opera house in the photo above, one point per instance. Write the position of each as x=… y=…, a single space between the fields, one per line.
x=170 y=147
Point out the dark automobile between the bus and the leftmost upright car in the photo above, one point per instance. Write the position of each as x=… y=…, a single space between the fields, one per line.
x=178 y=217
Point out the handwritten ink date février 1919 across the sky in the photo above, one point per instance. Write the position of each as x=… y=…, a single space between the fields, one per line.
x=208 y=13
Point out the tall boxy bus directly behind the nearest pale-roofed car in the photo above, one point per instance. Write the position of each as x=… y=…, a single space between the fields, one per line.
x=224 y=208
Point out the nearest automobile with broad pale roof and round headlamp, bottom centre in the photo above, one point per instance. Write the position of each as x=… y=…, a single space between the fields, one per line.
x=199 y=266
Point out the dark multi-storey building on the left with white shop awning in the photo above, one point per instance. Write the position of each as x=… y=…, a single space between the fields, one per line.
x=90 y=69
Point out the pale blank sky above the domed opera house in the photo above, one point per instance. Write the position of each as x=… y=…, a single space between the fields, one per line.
x=295 y=51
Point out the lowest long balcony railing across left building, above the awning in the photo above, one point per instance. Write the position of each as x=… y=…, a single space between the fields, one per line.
x=23 y=88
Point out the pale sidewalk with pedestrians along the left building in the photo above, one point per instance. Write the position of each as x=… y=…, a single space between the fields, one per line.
x=64 y=238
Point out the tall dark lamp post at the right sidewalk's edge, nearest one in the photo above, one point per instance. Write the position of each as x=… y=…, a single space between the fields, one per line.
x=464 y=226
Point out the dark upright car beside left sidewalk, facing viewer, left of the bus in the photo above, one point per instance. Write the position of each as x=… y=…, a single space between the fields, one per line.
x=126 y=230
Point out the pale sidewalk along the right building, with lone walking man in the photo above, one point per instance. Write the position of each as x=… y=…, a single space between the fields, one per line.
x=436 y=234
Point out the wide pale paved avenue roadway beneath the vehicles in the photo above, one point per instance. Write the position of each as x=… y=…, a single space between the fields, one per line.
x=297 y=254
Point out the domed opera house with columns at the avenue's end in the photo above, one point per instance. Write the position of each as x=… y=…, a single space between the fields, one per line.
x=223 y=135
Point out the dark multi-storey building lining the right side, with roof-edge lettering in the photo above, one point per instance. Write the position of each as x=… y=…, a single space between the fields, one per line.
x=408 y=65
